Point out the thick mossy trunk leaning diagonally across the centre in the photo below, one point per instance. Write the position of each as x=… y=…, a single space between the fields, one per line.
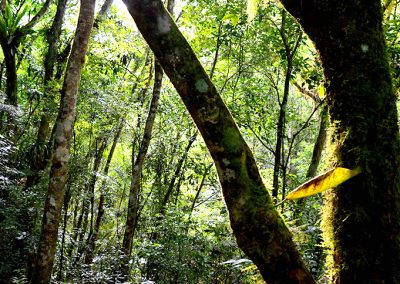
x=258 y=228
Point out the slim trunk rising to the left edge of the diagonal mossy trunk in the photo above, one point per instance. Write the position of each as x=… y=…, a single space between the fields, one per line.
x=137 y=165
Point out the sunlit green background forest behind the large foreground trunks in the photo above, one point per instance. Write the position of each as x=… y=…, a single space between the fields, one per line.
x=182 y=233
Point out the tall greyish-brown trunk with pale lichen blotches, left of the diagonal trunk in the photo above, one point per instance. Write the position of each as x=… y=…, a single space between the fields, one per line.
x=64 y=127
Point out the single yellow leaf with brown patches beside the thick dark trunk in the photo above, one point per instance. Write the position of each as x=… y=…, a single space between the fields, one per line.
x=330 y=179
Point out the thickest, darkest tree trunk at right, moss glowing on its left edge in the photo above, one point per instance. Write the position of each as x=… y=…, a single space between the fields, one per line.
x=361 y=216
